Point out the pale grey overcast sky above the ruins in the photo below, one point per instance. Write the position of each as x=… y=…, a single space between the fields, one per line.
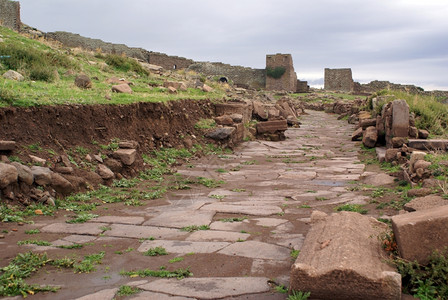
x=402 y=41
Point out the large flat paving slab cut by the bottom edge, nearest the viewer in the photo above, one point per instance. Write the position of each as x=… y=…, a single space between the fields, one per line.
x=209 y=288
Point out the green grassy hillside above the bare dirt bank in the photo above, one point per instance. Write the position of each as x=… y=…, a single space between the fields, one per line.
x=50 y=71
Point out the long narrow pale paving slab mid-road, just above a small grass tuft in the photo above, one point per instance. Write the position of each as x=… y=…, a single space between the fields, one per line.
x=260 y=210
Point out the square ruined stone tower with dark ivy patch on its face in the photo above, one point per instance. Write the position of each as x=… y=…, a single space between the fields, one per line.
x=288 y=81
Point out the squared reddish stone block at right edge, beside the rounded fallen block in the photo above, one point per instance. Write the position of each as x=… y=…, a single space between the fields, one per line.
x=421 y=233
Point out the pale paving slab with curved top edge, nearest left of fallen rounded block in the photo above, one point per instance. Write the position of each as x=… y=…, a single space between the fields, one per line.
x=255 y=249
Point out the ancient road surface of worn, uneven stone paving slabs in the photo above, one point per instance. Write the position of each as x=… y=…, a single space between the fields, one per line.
x=272 y=187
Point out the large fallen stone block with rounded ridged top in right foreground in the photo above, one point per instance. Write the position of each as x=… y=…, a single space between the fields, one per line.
x=342 y=259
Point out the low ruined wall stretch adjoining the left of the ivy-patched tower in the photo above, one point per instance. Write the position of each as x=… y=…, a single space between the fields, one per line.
x=240 y=76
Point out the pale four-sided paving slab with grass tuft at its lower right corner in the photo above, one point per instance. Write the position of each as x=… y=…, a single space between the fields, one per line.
x=182 y=218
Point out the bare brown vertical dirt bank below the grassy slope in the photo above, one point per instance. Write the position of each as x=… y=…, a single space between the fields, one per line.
x=62 y=127
